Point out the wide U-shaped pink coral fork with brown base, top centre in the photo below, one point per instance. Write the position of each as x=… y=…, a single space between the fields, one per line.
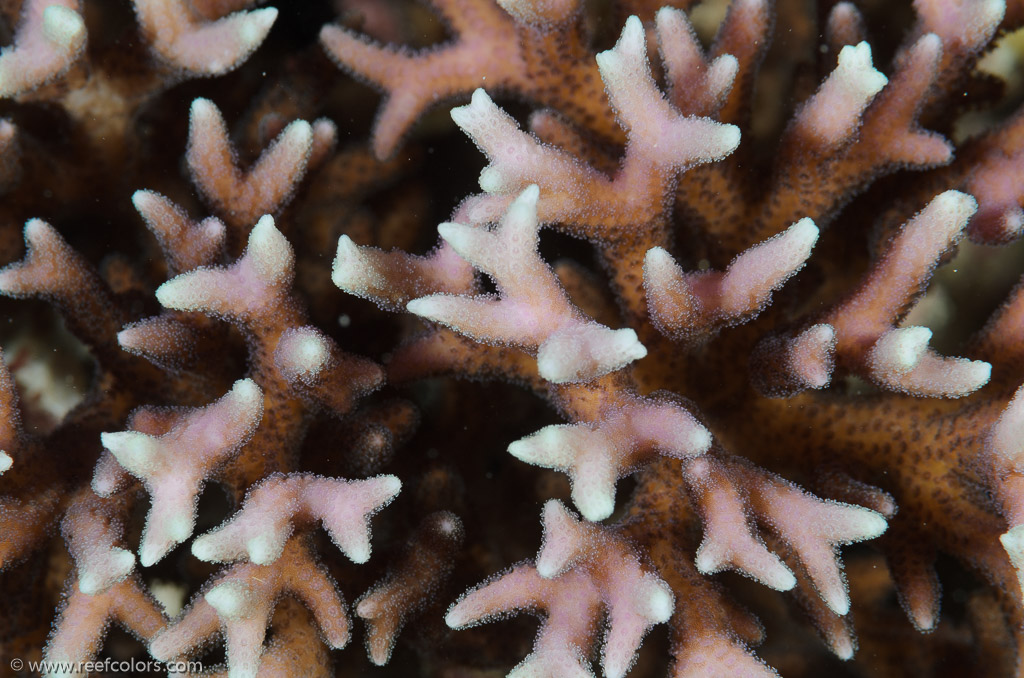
x=662 y=143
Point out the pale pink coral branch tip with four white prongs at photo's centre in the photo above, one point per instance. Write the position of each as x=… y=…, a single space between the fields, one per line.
x=533 y=311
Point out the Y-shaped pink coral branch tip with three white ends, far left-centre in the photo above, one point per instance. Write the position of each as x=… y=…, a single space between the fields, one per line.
x=175 y=467
